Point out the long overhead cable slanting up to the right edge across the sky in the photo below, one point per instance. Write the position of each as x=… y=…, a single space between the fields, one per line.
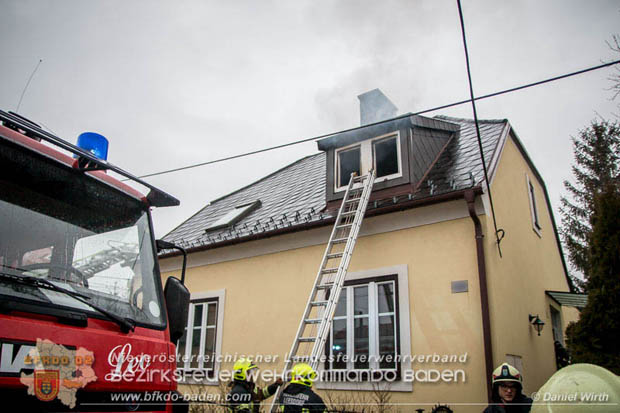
x=449 y=105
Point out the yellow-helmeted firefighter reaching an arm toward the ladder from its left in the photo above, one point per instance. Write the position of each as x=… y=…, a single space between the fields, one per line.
x=245 y=396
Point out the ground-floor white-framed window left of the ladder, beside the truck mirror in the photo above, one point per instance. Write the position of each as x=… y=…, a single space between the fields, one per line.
x=201 y=344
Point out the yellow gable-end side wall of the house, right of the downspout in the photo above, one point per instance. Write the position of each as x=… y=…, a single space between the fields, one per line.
x=530 y=264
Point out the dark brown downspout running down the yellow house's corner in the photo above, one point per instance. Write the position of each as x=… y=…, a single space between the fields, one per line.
x=470 y=198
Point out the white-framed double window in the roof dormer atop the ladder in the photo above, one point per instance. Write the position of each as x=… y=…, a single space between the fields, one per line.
x=381 y=154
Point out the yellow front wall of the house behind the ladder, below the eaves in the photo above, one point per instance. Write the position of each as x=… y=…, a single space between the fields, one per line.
x=266 y=295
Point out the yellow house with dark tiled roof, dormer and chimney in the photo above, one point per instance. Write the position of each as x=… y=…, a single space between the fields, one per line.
x=431 y=299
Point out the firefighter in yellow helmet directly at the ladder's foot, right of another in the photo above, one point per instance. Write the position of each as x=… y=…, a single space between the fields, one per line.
x=298 y=396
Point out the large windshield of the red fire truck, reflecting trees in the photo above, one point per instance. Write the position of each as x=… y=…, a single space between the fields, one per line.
x=81 y=234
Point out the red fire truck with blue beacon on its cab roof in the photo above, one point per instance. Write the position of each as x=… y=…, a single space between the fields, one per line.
x=85 y=324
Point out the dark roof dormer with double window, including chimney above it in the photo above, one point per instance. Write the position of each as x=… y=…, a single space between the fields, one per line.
x=401 y=151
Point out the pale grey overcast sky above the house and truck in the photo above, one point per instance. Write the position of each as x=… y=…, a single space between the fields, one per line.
x=174 y=83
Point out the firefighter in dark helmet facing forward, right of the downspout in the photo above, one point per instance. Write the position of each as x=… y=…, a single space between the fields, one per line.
x=507 y=391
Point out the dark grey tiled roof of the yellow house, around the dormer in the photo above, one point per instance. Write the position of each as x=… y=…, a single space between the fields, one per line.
x=295 y=195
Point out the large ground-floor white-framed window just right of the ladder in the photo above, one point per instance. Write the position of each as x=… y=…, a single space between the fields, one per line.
x=370 y=333
